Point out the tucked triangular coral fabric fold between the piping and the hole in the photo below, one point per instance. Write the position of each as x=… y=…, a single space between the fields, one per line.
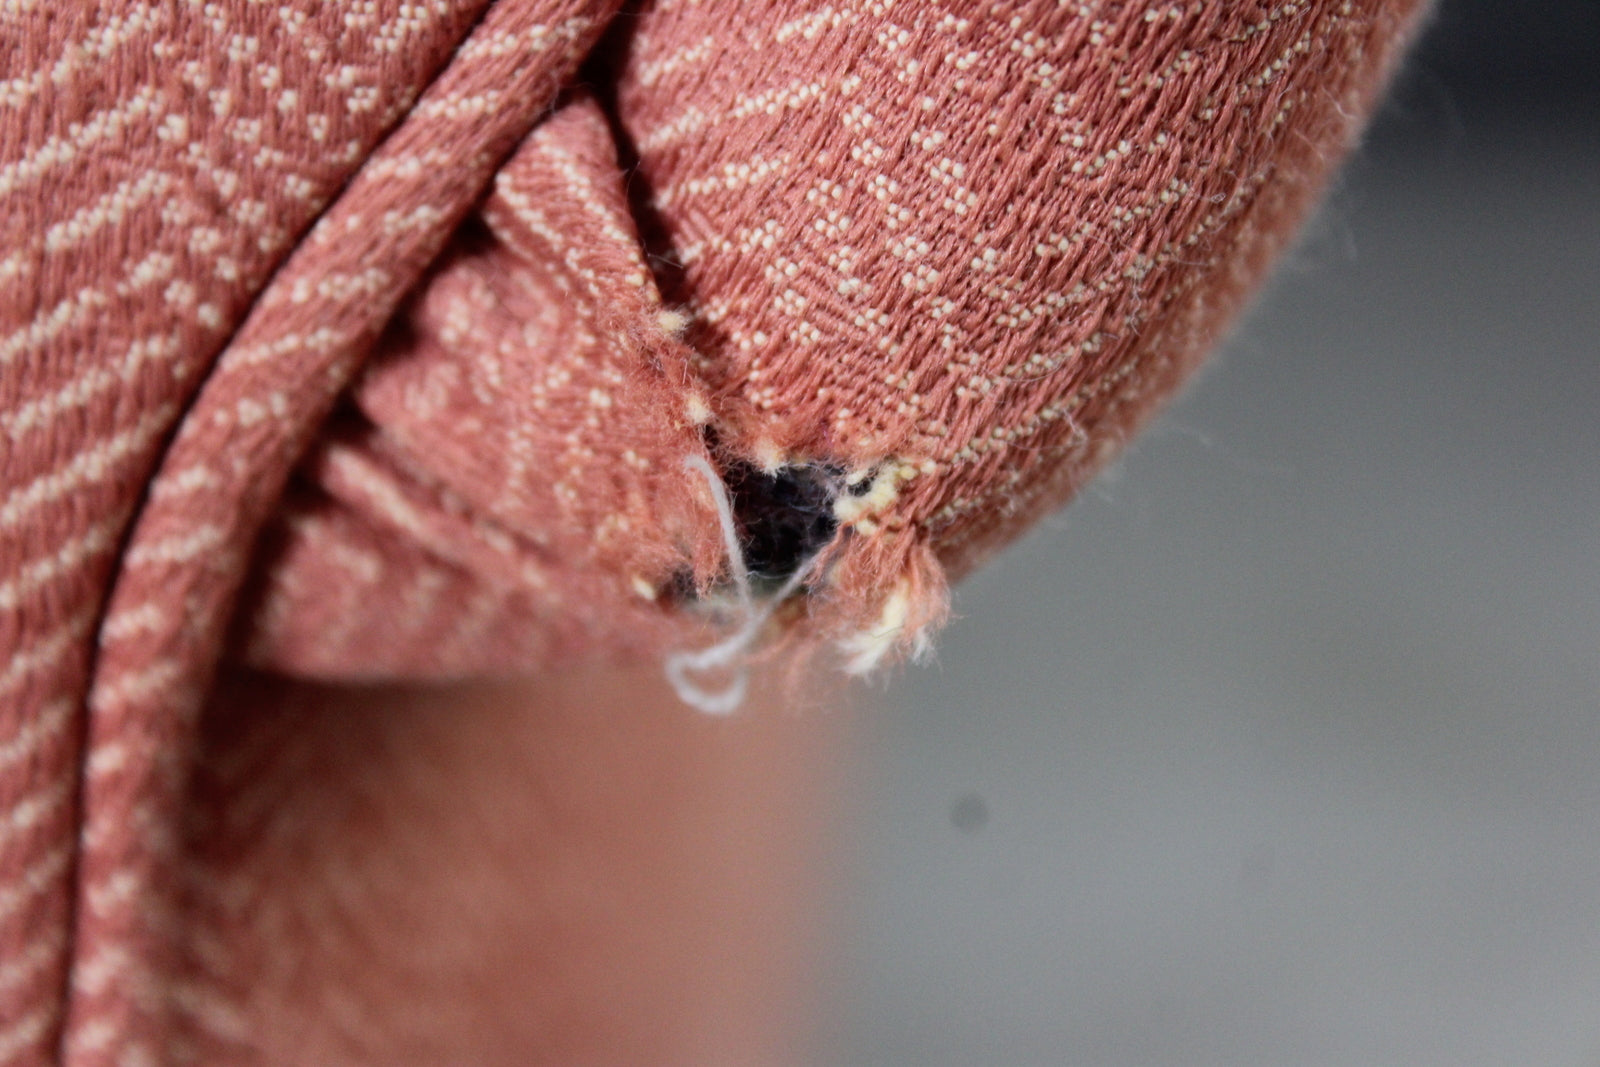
x=518 y=438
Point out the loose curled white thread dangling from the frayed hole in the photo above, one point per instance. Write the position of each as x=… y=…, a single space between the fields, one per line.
x=732 y=649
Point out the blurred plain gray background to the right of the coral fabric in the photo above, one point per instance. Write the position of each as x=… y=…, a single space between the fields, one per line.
x=1282 y=745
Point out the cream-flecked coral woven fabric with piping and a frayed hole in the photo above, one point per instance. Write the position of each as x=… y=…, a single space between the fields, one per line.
x=372 y=342
